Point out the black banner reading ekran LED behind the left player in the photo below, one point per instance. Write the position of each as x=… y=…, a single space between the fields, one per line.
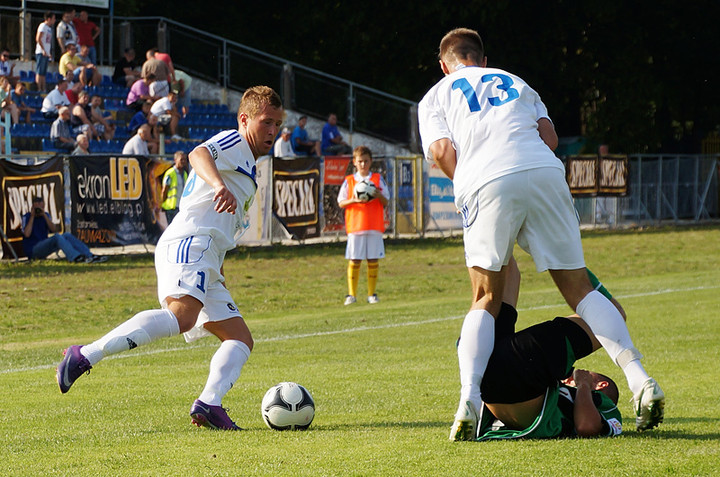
x=114 y=200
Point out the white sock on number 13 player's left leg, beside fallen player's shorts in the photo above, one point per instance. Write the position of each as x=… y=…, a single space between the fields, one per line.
x=477 y=339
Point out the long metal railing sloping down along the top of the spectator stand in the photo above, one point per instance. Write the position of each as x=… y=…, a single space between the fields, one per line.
x=235 y=66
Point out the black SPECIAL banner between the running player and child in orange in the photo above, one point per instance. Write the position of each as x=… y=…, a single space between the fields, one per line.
x=296 y=187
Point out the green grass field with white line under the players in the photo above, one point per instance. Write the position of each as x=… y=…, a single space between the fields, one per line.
x=384 y=377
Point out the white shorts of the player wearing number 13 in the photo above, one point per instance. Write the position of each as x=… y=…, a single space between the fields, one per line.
x=535 y=207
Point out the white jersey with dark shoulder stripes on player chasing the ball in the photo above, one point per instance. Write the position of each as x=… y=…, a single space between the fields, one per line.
x=197 y=215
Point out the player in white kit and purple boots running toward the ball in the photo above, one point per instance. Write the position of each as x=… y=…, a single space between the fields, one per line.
x=189 y=260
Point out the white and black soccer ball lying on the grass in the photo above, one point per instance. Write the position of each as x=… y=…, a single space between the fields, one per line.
x=288 y=406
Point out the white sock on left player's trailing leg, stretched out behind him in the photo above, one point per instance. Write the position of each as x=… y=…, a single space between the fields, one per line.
x=139 y=330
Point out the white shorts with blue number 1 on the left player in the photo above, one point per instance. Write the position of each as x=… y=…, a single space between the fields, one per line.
x=191 y=266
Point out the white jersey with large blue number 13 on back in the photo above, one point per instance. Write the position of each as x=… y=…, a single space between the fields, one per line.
x=491 y=117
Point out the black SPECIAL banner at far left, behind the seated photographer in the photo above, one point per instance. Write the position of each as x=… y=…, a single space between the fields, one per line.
x=19 y=185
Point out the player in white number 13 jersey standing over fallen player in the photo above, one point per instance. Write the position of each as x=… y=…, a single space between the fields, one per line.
x=490 y=133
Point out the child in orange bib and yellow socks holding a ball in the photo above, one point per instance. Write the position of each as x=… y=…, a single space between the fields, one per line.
x=365 y=224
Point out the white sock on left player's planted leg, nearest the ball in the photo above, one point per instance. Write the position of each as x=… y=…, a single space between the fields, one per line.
x=225 y=367
